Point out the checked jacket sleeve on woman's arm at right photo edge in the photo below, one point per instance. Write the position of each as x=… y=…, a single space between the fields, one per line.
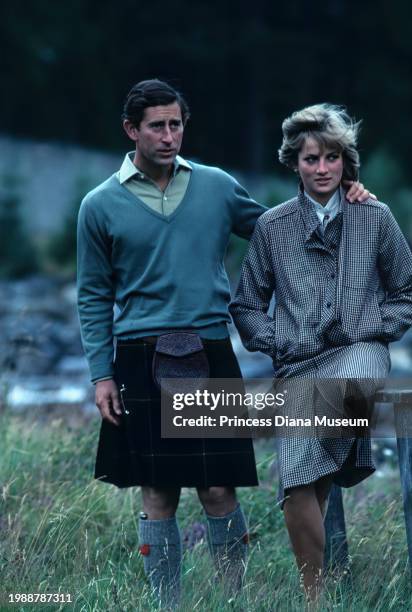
x=395 y=265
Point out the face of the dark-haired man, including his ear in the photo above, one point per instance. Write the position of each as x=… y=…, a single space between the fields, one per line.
x=159 y=136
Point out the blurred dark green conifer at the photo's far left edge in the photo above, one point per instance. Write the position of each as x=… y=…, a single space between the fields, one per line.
x=18 y=255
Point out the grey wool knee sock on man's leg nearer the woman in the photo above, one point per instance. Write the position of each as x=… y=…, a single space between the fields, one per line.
x=228 y=538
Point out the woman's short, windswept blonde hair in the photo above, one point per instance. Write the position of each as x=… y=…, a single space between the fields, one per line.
x=330 y=126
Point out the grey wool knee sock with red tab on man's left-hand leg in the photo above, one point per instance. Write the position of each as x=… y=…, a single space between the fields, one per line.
x=161 y=549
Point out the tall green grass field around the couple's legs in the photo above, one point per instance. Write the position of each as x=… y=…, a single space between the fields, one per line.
x=63 y=532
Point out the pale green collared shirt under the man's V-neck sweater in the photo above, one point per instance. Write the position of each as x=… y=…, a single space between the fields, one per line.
x=143 y=187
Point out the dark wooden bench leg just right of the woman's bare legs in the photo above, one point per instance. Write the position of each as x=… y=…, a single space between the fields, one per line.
x=336 y=547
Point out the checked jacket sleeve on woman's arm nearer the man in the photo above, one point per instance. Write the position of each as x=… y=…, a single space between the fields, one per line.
x=250 y=307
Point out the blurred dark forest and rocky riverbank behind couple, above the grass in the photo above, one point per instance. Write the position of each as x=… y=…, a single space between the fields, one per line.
x=242 y=66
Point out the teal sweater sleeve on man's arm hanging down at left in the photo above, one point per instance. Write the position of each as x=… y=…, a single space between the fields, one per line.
x=95 y=290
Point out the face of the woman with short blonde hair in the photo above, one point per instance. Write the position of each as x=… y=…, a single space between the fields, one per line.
x=320 y=169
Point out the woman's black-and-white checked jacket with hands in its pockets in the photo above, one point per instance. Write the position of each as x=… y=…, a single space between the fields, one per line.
x=352 y=283
